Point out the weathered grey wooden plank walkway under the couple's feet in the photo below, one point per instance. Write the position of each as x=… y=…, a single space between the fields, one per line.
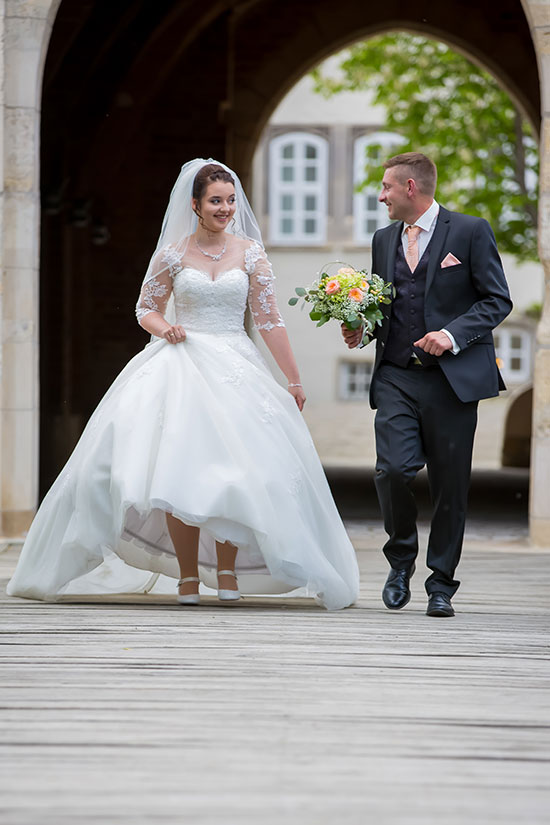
x=279 y=712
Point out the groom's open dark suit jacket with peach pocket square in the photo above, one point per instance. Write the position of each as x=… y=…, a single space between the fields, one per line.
x=469 y=299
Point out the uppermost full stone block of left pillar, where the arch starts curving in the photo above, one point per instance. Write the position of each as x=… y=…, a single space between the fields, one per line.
x=25 y=46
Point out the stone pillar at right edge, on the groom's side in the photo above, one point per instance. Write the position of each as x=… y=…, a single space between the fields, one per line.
x=538 y=14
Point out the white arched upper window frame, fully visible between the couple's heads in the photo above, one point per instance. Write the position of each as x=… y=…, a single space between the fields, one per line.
x=298 y=189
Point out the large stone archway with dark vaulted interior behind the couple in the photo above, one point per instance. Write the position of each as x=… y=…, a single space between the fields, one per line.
x=130 y=92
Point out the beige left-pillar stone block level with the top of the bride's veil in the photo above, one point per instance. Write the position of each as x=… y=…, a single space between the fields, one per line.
x=21 y=161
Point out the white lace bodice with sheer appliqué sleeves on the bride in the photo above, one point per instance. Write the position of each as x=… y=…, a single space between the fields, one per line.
x=212 y=305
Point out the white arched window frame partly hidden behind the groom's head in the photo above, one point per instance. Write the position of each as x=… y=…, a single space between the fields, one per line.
x=361 y=213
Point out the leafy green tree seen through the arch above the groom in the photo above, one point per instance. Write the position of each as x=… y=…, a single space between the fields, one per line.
x=455 y=112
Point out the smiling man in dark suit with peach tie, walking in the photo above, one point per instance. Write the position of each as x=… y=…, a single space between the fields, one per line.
x=435 y=359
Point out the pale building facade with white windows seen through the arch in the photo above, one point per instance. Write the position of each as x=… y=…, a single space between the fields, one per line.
x=306 y=167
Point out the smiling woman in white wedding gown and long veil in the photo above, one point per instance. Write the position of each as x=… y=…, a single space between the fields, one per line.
x=196 y=463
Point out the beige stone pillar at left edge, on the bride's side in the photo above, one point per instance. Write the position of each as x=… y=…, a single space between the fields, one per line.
x=26 y=32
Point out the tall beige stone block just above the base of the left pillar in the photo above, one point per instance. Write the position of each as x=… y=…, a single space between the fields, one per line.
x=19 y=460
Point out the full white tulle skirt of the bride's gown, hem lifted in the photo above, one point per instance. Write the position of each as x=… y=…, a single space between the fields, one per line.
x=203 y=431
